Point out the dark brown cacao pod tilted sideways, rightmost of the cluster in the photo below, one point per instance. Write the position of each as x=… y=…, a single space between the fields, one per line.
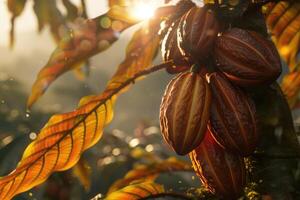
x=247 y=58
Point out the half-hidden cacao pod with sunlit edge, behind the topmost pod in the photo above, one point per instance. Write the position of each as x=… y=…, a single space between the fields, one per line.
x=170 y=51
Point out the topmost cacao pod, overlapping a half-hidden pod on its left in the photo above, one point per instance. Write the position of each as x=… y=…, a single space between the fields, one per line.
x=197 y=32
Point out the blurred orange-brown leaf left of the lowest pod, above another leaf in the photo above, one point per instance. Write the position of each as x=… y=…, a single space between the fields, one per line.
x=150 y=172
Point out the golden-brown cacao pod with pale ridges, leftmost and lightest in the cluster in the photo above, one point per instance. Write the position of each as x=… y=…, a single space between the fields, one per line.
x=184 y=111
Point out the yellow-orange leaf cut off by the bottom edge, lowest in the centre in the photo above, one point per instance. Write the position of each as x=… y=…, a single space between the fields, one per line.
x=136 y=191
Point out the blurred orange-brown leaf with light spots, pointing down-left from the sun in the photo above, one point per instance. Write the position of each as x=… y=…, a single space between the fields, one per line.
x=86 y=39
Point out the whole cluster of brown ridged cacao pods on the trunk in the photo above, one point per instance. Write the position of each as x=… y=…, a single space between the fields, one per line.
x=206 y=111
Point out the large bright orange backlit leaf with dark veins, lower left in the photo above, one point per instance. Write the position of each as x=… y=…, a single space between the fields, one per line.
x=58 y=146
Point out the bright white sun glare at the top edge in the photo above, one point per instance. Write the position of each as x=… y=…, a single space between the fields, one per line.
x=144 y=10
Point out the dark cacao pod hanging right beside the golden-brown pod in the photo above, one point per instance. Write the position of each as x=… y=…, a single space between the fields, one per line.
x=233 y=116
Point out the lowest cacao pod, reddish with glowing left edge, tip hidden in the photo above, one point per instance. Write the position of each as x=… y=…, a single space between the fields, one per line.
x=222 y=172
